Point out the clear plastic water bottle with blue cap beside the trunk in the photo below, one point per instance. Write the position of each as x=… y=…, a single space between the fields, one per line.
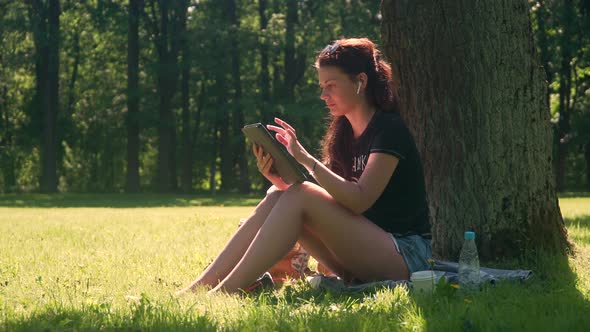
x=469 y=264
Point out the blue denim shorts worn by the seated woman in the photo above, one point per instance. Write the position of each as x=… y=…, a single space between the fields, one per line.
x=415 y=250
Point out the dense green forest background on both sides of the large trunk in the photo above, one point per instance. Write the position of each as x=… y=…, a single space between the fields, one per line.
x=150 y=95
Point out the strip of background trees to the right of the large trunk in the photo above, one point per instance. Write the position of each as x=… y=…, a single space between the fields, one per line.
x=562 y=30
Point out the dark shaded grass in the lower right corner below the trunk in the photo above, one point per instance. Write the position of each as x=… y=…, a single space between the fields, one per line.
x=553 y=299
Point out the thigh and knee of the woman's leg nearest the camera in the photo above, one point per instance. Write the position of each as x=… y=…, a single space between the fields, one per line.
x=360 y=246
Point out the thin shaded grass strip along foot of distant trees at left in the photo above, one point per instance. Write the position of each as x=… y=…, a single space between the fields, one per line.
x=126 y=200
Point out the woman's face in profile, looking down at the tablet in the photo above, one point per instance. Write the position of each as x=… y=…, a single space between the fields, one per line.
x=338 y=90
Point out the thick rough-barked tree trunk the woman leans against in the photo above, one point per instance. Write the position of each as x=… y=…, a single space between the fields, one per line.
x=473 y=96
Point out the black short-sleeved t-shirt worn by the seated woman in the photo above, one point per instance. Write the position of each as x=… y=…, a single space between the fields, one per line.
x=402 y=208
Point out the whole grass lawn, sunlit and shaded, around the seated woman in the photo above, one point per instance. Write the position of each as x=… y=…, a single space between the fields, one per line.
x=69 y=262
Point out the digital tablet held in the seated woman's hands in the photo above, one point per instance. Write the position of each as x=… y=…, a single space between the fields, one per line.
x=286 y=166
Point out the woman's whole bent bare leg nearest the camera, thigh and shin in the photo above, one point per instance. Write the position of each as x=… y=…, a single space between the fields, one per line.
x=361 y=247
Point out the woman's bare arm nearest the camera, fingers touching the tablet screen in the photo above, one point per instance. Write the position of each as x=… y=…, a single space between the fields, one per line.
x=356 y=196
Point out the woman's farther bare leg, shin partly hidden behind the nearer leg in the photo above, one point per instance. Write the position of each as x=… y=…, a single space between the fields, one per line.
x=237 y=245
